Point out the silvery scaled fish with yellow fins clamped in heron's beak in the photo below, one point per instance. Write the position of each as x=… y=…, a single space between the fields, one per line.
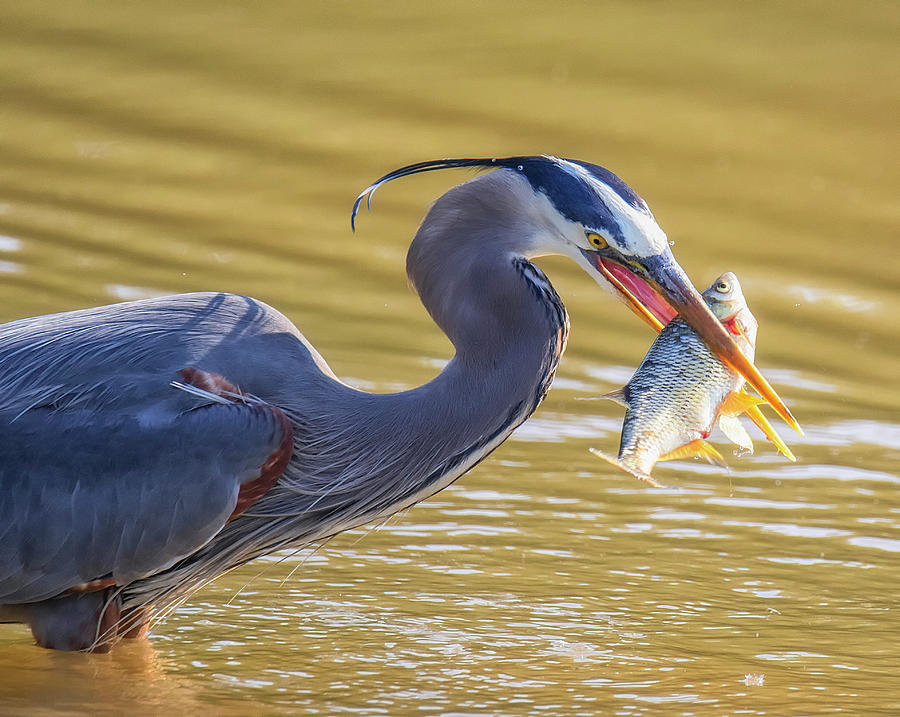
x=682 y=389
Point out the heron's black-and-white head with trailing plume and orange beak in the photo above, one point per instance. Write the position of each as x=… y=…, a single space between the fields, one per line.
x=586 y=212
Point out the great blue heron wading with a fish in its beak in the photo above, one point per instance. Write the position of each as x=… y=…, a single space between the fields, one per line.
x=147 y=447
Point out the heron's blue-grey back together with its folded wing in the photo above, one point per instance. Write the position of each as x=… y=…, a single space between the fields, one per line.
x=105 y=467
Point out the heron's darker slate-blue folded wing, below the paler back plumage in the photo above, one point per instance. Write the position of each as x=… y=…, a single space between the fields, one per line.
x=109 y=495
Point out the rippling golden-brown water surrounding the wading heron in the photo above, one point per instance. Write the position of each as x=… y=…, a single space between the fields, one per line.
x=156 y=148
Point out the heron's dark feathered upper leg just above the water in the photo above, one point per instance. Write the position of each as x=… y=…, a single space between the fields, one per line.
x=78 y=621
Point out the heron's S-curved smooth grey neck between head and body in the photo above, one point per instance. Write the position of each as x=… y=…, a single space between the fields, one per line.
x=509 y=329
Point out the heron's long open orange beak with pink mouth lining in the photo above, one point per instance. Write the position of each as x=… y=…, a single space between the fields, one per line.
x=656 y=288
